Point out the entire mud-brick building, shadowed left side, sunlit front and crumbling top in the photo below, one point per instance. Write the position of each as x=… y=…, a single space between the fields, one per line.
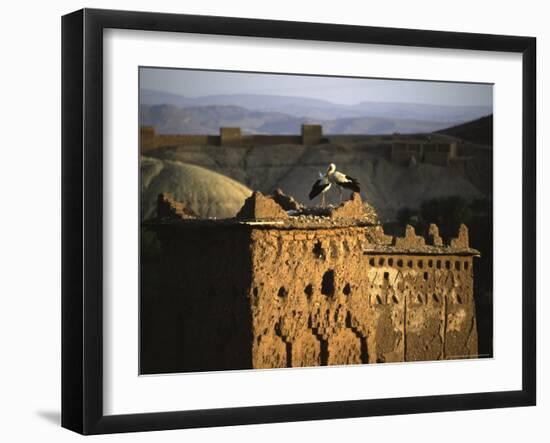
x=265 y=292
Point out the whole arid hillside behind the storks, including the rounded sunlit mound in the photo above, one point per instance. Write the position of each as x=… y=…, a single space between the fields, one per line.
x=293 y=168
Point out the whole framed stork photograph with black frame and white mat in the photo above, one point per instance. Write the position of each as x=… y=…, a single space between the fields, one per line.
x=269 y=221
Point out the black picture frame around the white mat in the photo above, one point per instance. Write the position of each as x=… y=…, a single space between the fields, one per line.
x=82 y=218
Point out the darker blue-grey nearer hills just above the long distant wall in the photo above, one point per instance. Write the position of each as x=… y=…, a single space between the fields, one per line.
x=171 y=119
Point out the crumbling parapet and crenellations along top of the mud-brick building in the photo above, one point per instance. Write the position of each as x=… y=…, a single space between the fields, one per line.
x=282 y=212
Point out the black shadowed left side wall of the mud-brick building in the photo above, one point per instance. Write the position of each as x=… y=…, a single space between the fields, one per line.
x=196 y=317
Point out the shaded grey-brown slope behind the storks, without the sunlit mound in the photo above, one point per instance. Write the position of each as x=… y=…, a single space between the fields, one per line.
x=294 y=168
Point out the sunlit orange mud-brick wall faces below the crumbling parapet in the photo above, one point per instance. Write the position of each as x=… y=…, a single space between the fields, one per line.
x=320 y=298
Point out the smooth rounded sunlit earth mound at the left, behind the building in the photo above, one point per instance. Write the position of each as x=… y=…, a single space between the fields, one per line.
x=206 y=193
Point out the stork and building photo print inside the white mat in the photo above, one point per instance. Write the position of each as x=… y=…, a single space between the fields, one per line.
x=298 y=221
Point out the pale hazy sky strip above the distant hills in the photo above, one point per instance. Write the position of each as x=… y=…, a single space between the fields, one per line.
x=335 y=89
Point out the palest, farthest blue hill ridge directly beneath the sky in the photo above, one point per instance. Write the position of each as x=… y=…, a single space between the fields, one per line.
x=303 y=107
